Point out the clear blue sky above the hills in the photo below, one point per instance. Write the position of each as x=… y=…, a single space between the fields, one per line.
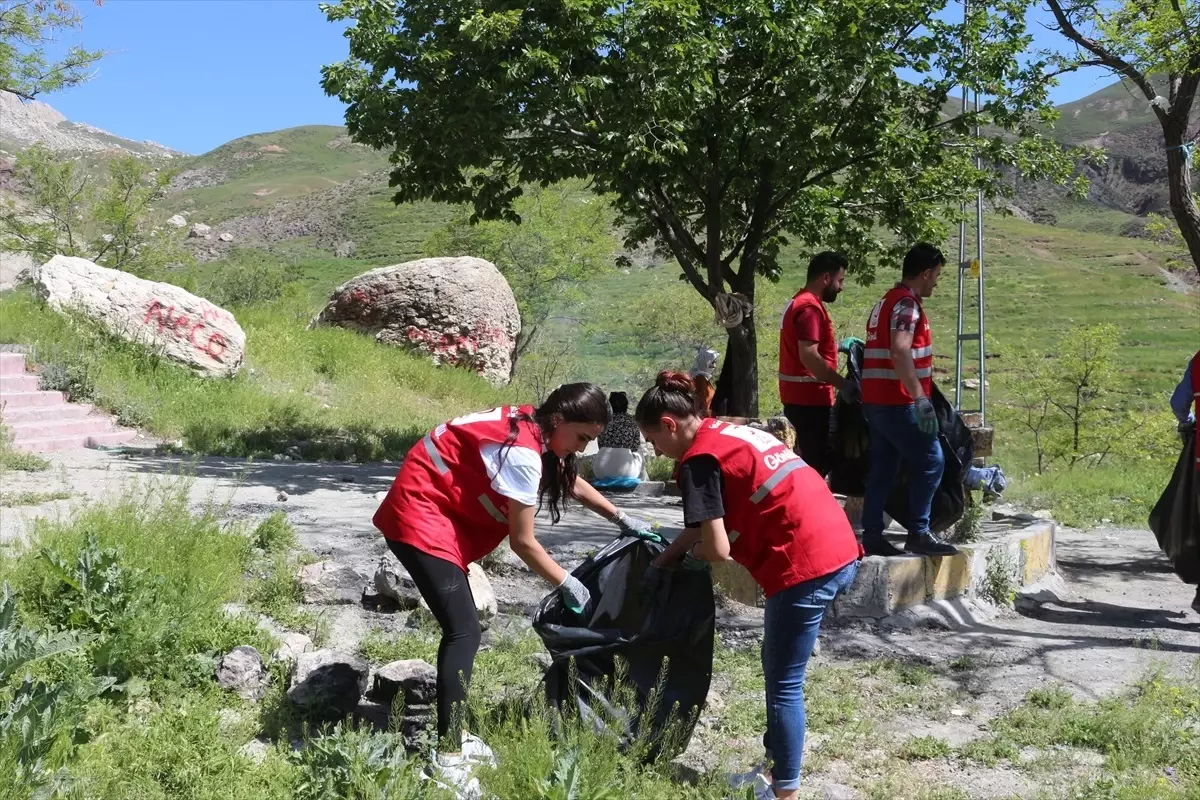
x=194 y=75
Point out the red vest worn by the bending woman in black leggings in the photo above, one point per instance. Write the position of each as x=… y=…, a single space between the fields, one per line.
x=442 y=502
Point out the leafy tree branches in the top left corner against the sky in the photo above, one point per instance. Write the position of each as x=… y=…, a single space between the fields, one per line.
x=27 y=29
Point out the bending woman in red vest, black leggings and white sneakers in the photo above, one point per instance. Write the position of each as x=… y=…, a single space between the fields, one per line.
x=466 y=486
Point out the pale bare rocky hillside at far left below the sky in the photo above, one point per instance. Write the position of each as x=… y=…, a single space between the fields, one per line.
x=23 y=124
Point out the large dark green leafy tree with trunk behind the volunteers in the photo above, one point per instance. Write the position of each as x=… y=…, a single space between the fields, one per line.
x=718 y=128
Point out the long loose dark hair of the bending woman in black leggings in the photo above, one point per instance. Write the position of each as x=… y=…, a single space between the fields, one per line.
x=572 y=404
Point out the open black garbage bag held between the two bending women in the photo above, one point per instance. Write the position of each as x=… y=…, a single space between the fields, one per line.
x=650 y=628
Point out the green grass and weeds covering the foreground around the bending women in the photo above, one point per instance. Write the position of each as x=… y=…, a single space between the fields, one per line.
x=112 y=624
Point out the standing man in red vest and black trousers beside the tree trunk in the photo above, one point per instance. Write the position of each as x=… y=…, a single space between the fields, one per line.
x=808 y=360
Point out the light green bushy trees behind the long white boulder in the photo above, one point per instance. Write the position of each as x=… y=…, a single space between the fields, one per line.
x=69 y=210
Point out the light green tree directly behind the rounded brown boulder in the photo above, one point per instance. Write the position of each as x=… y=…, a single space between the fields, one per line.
x=565 y=239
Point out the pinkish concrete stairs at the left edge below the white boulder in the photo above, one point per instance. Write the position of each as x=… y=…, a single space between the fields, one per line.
x=44 y=422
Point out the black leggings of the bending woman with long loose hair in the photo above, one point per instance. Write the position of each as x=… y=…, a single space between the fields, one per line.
x=446 y=590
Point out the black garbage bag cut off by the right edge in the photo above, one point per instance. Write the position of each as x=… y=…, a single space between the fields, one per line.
x=1175 y=519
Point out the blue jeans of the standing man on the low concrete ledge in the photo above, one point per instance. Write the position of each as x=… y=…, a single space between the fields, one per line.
x=896 y=438
